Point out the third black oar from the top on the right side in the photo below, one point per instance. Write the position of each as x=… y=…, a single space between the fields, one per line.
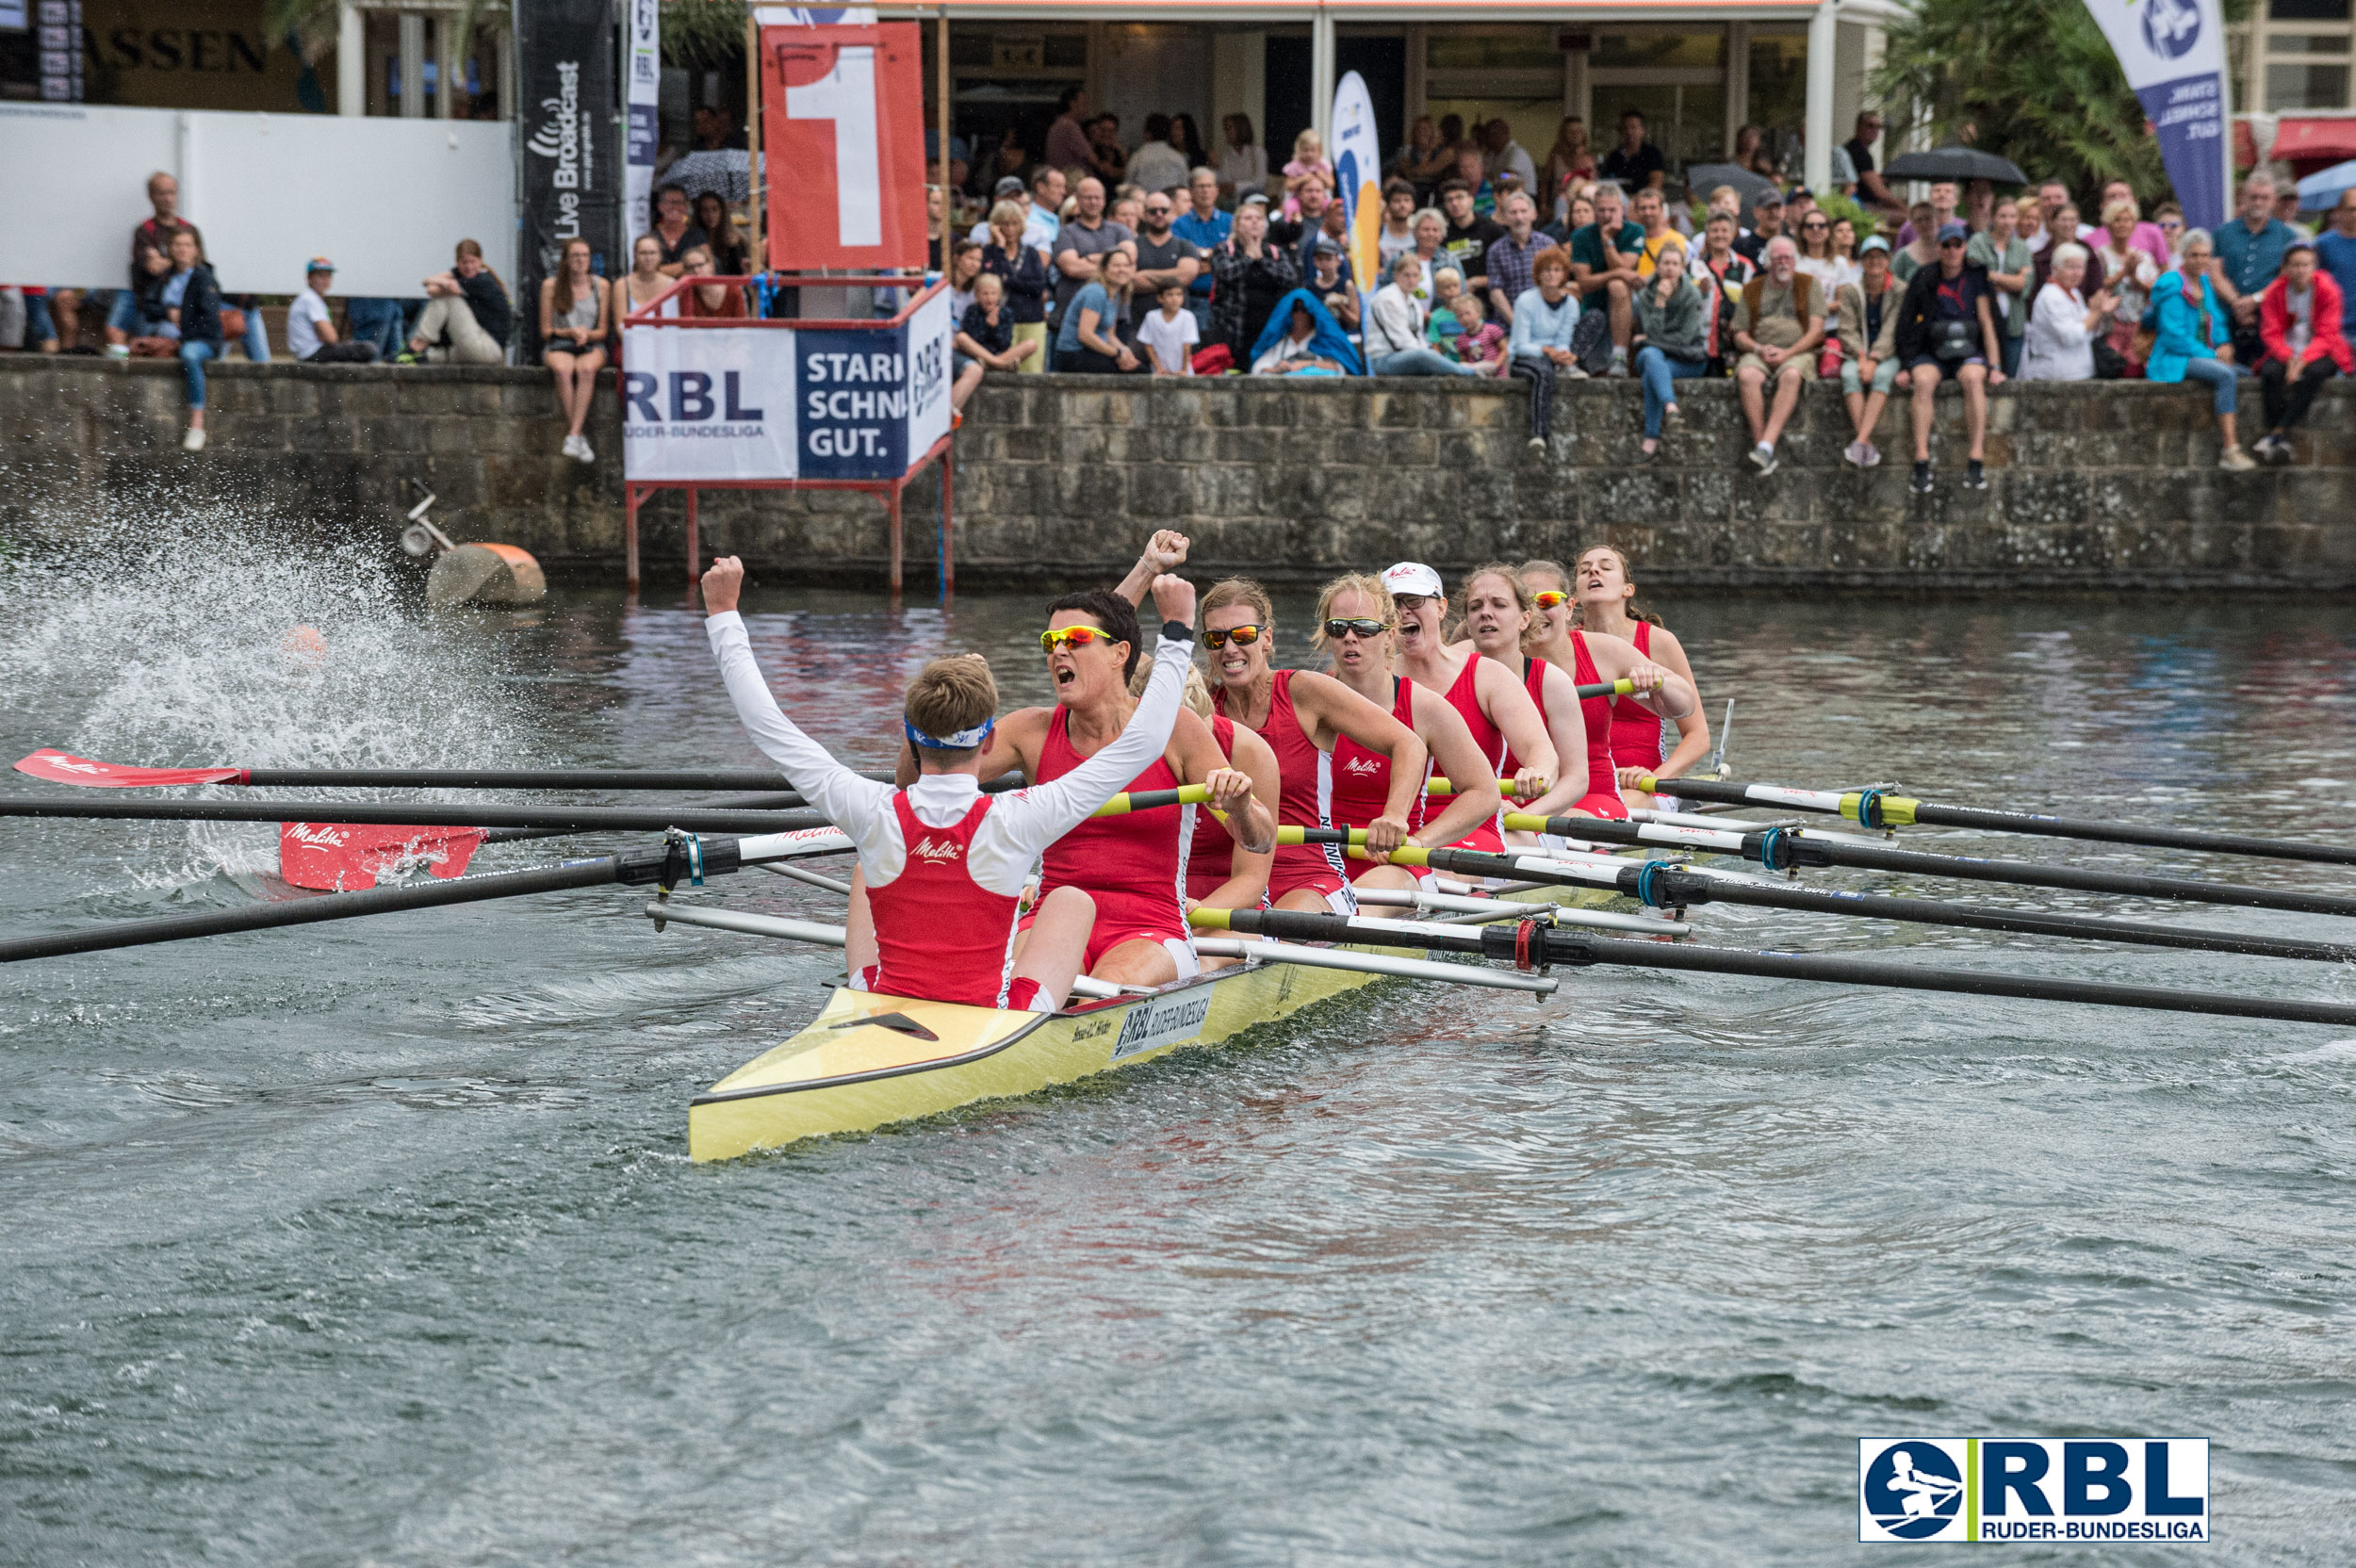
x=1665 y=886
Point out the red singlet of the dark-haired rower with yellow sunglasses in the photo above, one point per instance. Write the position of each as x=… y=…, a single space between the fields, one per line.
x=1132 y=865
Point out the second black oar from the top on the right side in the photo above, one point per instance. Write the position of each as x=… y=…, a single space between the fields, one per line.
x=1787 y=849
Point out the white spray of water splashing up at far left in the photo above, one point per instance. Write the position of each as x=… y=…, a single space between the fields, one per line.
x=206 y=637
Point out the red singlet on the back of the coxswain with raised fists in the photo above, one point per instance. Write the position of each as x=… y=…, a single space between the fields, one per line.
x=939 y=934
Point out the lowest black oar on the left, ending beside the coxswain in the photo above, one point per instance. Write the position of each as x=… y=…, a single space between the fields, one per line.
x=680 y=861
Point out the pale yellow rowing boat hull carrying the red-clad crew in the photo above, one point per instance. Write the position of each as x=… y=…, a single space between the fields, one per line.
x=873 y=1061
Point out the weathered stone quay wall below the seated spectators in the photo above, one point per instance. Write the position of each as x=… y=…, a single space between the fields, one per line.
x=2107 y=486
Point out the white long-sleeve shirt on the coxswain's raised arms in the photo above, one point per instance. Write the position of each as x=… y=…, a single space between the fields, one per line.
x=1019 y=825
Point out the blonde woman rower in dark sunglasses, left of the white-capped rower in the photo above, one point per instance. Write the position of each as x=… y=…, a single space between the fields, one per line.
x=1356 y=630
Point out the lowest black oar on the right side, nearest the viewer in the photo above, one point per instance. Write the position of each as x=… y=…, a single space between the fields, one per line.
x=1533 y=945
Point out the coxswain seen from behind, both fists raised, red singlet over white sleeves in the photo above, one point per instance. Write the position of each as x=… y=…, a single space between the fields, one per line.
x=941 y=877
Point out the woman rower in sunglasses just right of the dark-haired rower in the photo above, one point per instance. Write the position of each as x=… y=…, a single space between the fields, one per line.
x=1304 y=717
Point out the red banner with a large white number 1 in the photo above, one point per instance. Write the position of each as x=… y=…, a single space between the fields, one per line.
x=842 y=124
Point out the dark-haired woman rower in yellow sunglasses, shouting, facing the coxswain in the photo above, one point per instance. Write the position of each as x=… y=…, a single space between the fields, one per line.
x=1132 y=865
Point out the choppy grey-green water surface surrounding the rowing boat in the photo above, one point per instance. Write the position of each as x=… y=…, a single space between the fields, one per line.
x=378 y=1242
